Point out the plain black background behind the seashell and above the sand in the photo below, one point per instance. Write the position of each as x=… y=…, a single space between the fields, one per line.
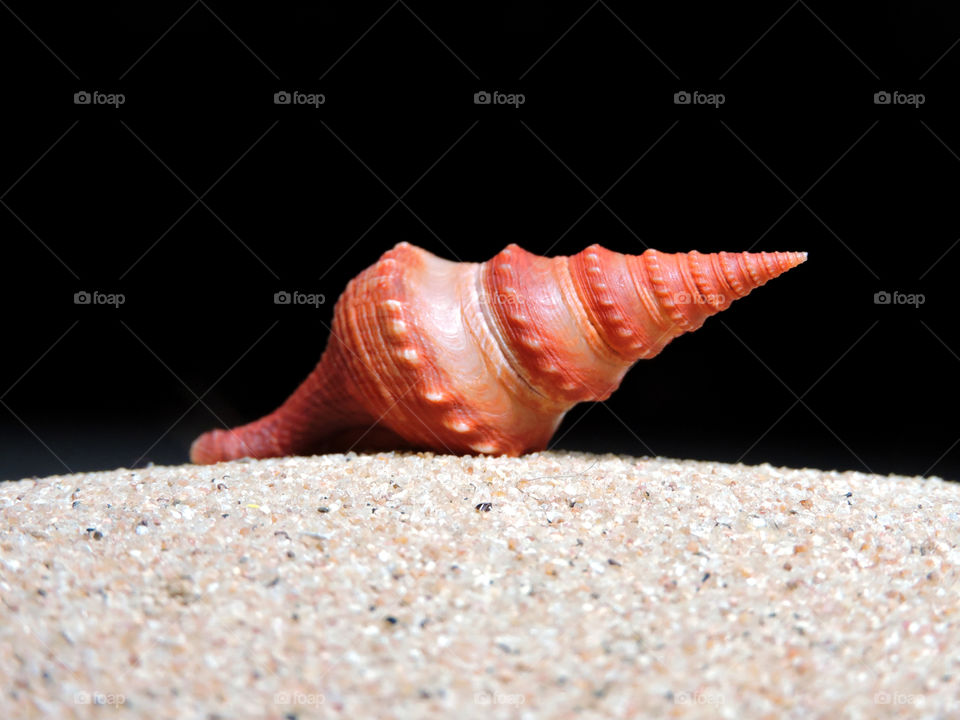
x=98 y=198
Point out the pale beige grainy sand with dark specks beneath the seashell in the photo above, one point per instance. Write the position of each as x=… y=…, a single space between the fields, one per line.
x=411 y=585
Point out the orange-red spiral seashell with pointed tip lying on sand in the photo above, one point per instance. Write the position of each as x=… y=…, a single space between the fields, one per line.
x=488 y=357
